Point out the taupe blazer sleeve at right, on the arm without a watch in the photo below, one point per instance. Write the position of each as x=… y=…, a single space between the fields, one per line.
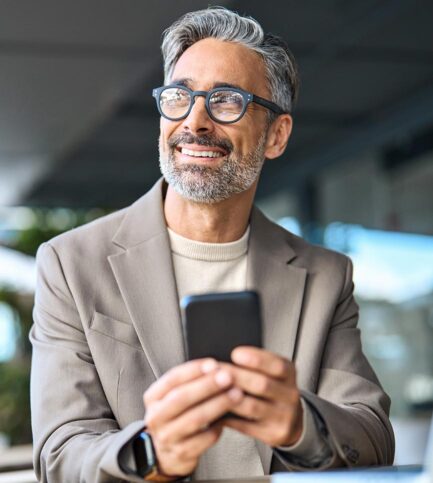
x=349 y=400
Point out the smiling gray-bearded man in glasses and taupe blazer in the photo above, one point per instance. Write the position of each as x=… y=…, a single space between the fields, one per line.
x=107 y=325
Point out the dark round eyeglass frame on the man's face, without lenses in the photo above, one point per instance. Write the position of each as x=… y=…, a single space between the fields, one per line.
x=247 y=97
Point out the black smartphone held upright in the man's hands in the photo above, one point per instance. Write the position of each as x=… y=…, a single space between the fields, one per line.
x=215 y=323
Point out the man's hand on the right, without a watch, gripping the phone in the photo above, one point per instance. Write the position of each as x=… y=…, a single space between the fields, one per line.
x=271 y=402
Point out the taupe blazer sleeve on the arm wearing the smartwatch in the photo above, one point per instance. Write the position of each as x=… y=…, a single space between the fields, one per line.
x=76 y=437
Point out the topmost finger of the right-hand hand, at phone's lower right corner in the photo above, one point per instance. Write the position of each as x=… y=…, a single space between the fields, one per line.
x=262 y=361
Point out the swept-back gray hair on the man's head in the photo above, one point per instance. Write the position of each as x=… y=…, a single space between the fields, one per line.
x=223 y=24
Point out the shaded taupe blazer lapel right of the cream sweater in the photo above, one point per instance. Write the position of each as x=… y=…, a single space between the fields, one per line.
x=281 y=288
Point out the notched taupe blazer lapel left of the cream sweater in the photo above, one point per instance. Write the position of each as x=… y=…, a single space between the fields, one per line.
x=145 y=276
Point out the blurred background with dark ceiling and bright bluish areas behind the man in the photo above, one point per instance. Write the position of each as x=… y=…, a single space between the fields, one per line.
x=78 y=139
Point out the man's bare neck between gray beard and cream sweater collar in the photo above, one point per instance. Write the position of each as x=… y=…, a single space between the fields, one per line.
x=220 y=222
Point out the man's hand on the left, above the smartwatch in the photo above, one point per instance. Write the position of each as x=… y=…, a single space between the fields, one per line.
x=180 y=409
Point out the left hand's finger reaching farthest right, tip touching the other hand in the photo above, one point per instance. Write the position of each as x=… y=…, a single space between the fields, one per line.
x=201 y=416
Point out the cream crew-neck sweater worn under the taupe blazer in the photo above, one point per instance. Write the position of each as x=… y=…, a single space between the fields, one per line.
x=222 y=267
